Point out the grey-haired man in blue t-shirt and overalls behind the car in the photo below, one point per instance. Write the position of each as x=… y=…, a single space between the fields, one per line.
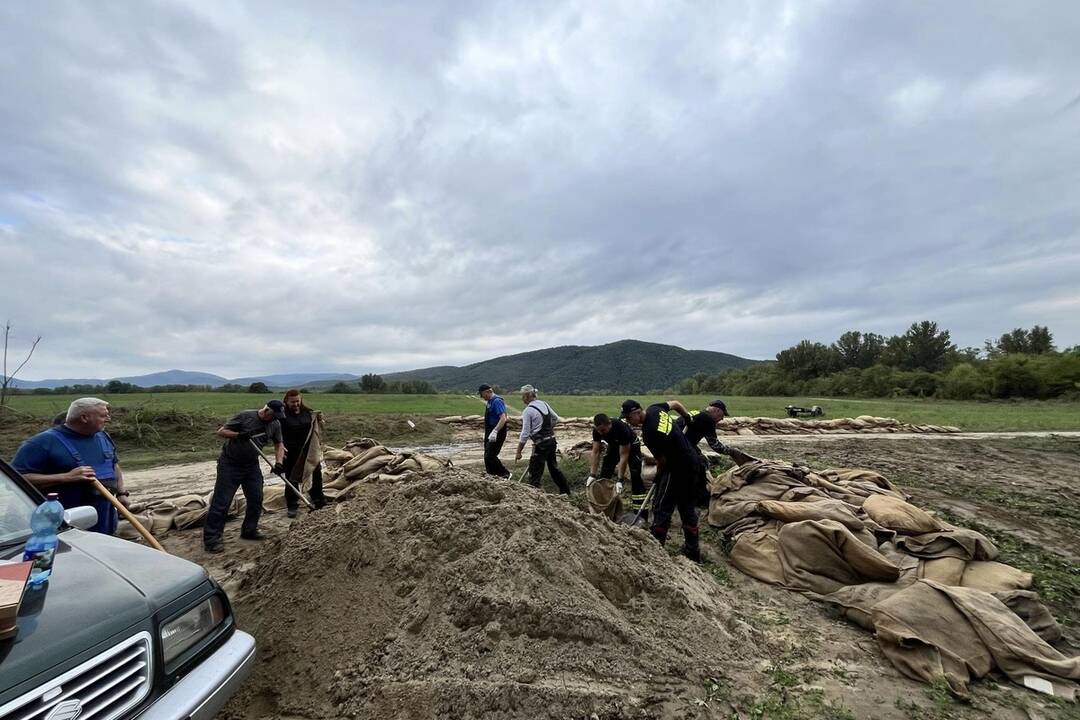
x=66 y=459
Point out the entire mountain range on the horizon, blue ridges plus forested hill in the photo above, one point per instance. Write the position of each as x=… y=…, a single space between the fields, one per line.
x=630 y=366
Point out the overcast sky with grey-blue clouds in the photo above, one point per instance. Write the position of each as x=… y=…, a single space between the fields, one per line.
x=247 y=188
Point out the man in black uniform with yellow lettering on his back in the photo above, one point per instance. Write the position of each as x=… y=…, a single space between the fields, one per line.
x=677 y=470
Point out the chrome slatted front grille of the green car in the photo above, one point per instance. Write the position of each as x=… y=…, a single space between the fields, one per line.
x=103 y=688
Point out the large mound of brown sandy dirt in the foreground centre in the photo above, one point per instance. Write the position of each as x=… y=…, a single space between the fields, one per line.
x=461 y=596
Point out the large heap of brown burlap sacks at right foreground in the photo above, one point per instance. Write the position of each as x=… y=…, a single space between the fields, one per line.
x=935 y=594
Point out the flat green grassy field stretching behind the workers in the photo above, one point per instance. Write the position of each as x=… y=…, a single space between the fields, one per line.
x=970 y=416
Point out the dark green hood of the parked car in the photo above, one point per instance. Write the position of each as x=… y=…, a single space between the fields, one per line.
x=100 y=587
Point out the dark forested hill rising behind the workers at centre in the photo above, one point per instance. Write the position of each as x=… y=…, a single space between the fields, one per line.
x=627 y=366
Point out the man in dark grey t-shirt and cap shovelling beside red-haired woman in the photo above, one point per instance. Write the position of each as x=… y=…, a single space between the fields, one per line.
x=238 y=467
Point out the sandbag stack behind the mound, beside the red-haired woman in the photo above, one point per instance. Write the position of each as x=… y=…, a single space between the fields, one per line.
x=364 y=460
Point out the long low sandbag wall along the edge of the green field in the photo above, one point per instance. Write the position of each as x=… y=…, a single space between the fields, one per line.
x=738 y=426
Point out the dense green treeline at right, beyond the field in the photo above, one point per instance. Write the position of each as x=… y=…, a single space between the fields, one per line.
x=923 y=362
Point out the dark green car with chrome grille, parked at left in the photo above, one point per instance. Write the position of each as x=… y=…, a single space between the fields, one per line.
x=119 y=631
